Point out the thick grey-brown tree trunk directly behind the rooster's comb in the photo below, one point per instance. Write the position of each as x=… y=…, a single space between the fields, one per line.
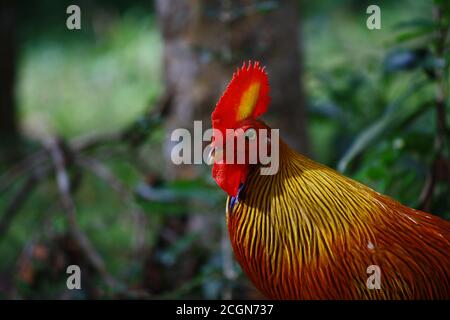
x=205 y=41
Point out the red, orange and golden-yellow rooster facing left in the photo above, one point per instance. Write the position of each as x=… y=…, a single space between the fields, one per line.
x=308 y=232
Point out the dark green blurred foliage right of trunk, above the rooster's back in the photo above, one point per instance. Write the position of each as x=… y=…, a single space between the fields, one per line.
x=372 y=98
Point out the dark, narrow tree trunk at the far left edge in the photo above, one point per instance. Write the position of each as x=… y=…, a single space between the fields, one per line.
x=8 y=121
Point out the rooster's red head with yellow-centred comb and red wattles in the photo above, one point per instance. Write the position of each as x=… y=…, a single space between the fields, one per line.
x=245 y=99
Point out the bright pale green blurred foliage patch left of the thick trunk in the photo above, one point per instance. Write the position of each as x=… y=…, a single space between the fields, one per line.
x=122 y=65
